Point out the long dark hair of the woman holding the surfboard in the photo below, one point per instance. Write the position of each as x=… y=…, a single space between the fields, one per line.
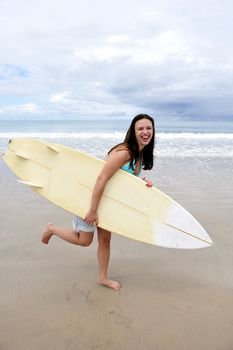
x=131 y=143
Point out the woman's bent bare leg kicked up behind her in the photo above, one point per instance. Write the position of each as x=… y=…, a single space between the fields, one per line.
x=80 y=238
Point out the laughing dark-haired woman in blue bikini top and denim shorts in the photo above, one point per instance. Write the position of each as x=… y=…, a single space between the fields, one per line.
x=135 y=153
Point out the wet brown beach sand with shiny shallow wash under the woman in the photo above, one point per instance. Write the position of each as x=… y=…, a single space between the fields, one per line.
x=170 y=299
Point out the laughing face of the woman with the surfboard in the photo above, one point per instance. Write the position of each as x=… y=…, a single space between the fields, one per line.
x=143 y=132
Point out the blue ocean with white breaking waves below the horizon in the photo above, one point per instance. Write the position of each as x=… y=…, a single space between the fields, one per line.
x=96 y=137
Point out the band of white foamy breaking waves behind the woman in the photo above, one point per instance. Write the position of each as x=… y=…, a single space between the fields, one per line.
x=167 y=144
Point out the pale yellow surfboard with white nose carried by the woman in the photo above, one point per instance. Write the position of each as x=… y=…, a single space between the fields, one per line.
x=66 y=177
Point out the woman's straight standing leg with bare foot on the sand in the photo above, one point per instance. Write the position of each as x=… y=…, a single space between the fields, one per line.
x=103 y=255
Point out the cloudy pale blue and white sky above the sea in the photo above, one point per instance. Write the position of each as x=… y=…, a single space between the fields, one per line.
x=105 y=58
